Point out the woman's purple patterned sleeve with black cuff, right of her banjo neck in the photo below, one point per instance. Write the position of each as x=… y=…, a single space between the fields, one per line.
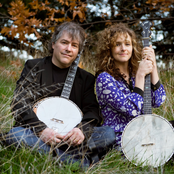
x=158 y=94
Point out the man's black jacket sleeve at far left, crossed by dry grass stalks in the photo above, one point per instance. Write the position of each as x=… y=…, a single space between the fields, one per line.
x=24 y=97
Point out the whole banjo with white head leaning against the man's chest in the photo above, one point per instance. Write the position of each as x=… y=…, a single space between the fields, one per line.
x=60 y=113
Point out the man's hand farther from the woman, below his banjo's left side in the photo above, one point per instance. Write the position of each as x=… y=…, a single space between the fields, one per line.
x=50 y=136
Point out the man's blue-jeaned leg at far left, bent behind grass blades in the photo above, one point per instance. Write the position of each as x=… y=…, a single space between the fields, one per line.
x=20 y=136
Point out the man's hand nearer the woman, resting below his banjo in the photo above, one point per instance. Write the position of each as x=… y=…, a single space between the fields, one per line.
x=74 y=137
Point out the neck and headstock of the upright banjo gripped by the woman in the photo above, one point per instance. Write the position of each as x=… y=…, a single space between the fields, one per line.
x=147 y=108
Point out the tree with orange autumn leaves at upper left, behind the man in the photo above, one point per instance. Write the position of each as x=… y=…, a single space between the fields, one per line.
x=38 y=18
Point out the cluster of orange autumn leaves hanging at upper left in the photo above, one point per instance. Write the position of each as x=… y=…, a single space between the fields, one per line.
x=25 y=21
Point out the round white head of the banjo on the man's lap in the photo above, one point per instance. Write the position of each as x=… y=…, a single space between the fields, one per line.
x=58 y=113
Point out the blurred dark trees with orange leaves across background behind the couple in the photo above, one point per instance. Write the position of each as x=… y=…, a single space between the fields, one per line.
x=28 y=24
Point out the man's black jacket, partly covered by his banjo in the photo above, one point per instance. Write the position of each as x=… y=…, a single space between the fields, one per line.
x=36 y=83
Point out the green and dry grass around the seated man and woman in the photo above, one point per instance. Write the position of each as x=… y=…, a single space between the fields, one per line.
x=25 y=161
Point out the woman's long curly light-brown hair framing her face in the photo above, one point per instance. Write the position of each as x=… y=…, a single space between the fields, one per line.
x=106 y=40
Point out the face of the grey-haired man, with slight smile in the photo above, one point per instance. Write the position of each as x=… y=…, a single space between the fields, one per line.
x=65 y=51
